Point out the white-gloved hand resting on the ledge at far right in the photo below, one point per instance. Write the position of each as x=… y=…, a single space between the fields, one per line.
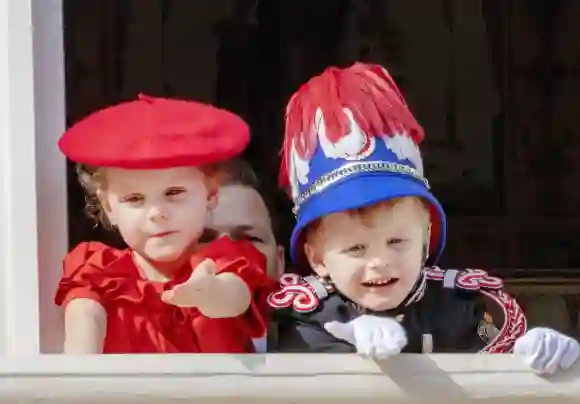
x=545 y=350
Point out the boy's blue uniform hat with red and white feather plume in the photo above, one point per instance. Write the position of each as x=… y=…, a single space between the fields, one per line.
x=351 y=141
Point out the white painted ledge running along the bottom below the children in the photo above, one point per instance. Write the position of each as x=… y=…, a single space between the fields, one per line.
x=287 y=378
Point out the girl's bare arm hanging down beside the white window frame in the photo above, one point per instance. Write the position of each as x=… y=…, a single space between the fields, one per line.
x=85 y=327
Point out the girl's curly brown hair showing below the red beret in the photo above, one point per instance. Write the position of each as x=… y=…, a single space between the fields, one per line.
x=93 y=181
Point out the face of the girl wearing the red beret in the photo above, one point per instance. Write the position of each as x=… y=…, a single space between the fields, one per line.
x=159 y=213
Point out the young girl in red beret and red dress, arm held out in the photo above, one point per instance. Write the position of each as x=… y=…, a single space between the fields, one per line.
x=150 y=171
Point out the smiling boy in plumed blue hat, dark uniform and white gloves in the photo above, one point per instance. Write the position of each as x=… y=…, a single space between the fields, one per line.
x=367 y=225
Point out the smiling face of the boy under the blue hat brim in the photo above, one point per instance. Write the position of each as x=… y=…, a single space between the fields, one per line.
x=373 y=257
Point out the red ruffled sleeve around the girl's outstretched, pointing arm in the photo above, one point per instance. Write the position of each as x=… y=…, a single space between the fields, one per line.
x=243 y=259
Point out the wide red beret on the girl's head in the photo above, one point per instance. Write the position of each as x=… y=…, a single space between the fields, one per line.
x=154 y=133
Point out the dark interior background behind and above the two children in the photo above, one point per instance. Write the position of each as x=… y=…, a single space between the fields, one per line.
x=495 y=83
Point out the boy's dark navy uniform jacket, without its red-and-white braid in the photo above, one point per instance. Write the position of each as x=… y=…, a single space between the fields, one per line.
x=453 y=319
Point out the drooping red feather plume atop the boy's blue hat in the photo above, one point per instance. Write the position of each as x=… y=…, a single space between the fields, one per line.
x=367 y=90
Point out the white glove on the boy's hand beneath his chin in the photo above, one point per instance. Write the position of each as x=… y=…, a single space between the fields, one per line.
x=376 y=337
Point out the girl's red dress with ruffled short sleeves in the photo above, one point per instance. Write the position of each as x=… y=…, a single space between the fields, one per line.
x=139 y=322
